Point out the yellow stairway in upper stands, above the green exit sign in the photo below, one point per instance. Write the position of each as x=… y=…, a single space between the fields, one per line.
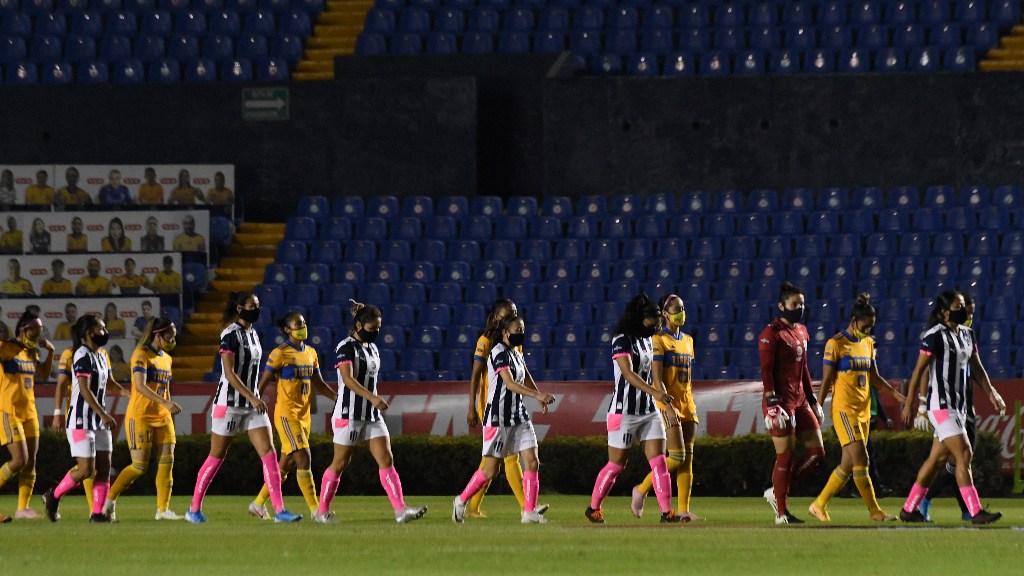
x=334 y=35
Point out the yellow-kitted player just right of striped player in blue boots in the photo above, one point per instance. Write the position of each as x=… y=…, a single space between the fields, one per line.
x=297 y=369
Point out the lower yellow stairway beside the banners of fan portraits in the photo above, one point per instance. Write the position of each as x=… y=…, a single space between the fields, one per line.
x=240 y=271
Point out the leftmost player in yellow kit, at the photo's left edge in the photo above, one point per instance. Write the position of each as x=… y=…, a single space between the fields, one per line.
x=20 y=431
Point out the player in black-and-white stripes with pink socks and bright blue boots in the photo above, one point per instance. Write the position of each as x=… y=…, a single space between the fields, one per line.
x=238 y=406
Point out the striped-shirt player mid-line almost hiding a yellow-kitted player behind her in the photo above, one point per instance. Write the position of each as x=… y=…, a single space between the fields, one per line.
x=507 y=429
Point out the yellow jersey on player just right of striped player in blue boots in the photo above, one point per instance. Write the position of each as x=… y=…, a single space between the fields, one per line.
x=294 y=367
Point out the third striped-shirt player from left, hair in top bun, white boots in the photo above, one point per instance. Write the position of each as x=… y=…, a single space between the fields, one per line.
x=359 y=417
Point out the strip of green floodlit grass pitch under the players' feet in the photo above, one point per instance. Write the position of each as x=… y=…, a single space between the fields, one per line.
x=737 y=538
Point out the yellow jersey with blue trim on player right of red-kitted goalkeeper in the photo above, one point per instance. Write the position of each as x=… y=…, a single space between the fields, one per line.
x=852 y=360
